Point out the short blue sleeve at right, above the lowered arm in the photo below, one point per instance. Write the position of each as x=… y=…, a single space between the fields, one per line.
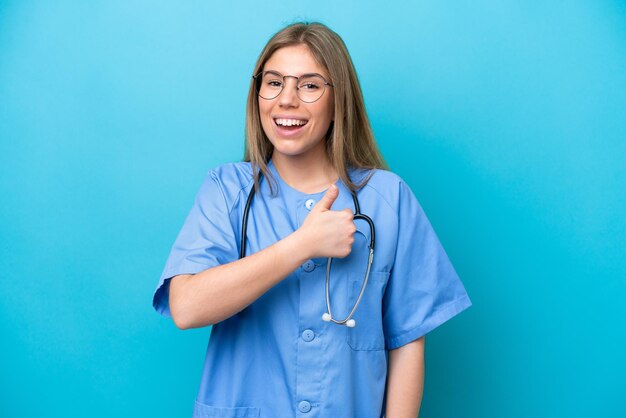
x=424 y=290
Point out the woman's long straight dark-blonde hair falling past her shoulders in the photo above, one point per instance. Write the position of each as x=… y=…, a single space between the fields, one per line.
x=350 y=141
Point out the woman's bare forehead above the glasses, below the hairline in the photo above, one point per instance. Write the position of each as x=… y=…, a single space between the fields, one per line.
x=294 y=60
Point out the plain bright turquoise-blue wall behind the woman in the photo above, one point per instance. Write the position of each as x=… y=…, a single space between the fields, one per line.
x=505 y=117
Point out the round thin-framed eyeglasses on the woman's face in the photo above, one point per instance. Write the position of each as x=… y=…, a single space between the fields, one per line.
x=309 y=87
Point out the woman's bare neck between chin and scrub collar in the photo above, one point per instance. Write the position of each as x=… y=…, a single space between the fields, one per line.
x=309 y=173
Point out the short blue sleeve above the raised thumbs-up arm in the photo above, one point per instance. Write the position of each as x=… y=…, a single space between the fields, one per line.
x=207 y=239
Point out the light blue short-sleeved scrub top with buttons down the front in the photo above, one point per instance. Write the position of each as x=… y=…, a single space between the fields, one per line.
x=277 y=358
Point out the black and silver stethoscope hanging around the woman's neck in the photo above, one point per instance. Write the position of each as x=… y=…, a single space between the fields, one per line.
x=328 y=316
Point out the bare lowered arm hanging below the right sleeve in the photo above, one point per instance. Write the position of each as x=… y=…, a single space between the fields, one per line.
x=405 y=383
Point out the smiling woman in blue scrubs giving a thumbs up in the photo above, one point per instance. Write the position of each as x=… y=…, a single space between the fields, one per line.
x=309 y=146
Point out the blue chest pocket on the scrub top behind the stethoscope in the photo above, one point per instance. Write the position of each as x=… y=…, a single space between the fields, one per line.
x=368 y=333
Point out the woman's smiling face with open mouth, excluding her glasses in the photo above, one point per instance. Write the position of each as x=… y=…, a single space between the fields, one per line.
x=295 y=128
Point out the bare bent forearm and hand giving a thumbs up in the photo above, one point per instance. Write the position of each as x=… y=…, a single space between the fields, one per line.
x=219 y=292
